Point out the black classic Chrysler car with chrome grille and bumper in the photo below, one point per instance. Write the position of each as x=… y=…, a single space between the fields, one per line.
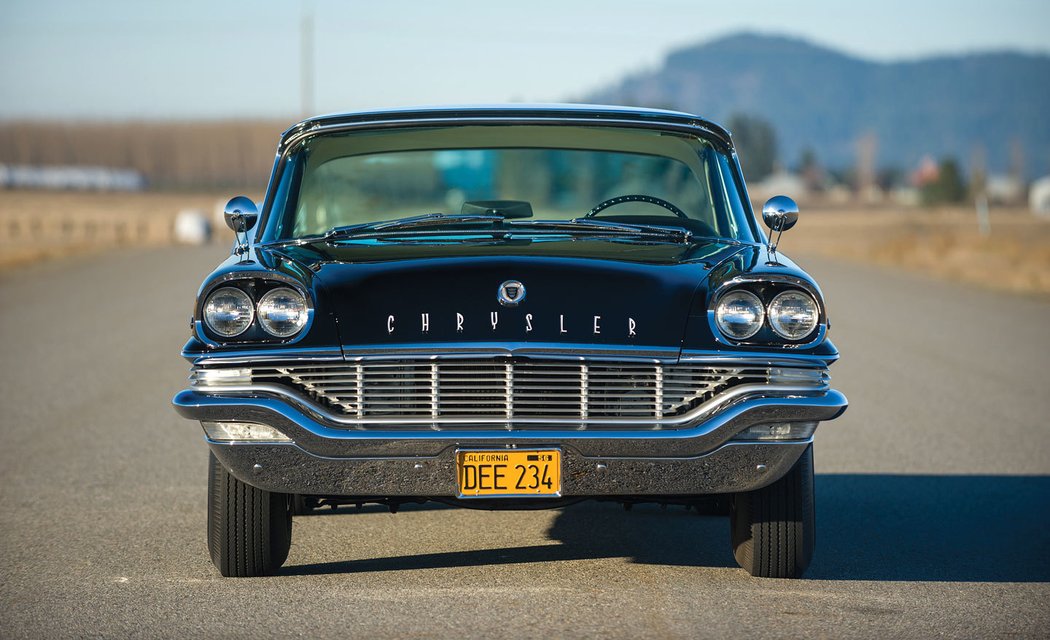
x=509 y=308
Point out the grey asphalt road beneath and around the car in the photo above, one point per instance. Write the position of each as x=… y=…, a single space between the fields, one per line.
x=933 y=493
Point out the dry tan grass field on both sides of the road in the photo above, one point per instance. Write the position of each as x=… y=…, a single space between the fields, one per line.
x=946 y=244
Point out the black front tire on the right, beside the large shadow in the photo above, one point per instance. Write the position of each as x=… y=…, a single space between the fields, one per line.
x=773 y=529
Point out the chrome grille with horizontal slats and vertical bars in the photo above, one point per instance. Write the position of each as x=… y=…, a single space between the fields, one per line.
x=506 y=390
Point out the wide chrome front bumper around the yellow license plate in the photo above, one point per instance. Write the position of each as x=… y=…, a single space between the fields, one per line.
x=698 y=459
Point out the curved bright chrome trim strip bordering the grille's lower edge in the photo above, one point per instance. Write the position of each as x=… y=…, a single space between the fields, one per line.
x=700 y=413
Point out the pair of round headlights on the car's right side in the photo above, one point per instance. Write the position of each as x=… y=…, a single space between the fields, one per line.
x=792 y=315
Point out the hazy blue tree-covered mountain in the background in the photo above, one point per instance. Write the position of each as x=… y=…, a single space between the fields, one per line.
x=821 y=99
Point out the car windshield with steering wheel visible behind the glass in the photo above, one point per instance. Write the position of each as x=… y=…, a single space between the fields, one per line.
x=520 y=174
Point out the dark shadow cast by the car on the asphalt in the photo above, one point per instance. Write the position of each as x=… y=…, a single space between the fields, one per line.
x=877 y=527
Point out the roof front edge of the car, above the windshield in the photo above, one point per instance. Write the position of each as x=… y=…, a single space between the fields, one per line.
x=510 y=112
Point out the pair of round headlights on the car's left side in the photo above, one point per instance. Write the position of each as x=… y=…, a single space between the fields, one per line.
x=229 y=312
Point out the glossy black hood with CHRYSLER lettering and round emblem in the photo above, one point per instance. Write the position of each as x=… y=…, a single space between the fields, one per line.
x=573 y=291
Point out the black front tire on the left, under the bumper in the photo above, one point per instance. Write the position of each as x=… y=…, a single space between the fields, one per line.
x=249 y=529
